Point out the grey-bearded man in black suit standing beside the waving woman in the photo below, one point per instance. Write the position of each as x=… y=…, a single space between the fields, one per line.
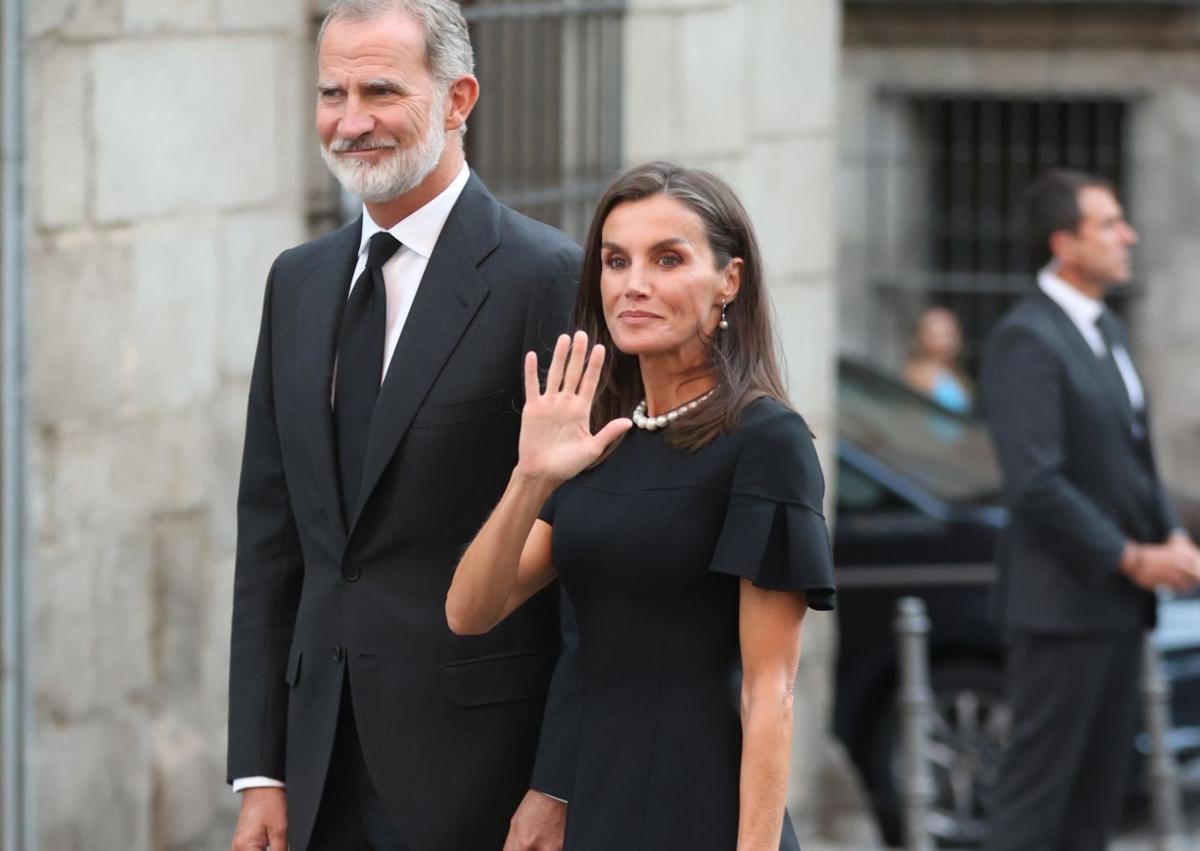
x=382 y=427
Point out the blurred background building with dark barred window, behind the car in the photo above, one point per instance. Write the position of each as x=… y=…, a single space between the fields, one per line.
x=947 y=111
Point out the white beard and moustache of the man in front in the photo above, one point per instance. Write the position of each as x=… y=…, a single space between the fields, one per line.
x=399 y=172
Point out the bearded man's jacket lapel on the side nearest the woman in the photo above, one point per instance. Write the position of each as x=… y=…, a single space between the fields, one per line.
x=451 y=293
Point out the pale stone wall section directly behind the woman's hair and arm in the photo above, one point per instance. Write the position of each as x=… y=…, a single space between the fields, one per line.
x=749 y=89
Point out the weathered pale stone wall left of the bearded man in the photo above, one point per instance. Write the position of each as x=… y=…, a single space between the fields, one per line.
x=165 y=141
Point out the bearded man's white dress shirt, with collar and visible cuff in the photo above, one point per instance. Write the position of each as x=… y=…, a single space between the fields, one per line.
x=401 y=278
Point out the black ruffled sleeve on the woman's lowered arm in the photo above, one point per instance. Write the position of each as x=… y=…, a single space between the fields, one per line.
x=775 y=532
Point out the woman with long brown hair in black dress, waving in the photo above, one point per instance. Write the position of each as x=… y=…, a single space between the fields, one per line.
x=679 y=498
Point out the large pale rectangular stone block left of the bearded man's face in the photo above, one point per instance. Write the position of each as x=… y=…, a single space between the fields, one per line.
x=185 y=125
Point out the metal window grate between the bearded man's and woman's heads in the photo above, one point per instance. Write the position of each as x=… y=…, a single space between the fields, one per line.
x=547 y=134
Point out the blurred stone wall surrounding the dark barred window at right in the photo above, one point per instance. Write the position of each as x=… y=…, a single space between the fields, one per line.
x=1150 y=57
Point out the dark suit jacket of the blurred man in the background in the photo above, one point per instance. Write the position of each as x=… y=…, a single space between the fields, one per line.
x=1078 y=481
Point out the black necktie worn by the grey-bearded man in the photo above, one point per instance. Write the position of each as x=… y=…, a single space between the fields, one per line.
x=361 y=367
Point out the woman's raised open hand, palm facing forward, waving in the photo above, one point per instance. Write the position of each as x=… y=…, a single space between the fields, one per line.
x=556 y=433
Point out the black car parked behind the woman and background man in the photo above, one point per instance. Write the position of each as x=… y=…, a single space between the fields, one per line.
x=919 y=514
